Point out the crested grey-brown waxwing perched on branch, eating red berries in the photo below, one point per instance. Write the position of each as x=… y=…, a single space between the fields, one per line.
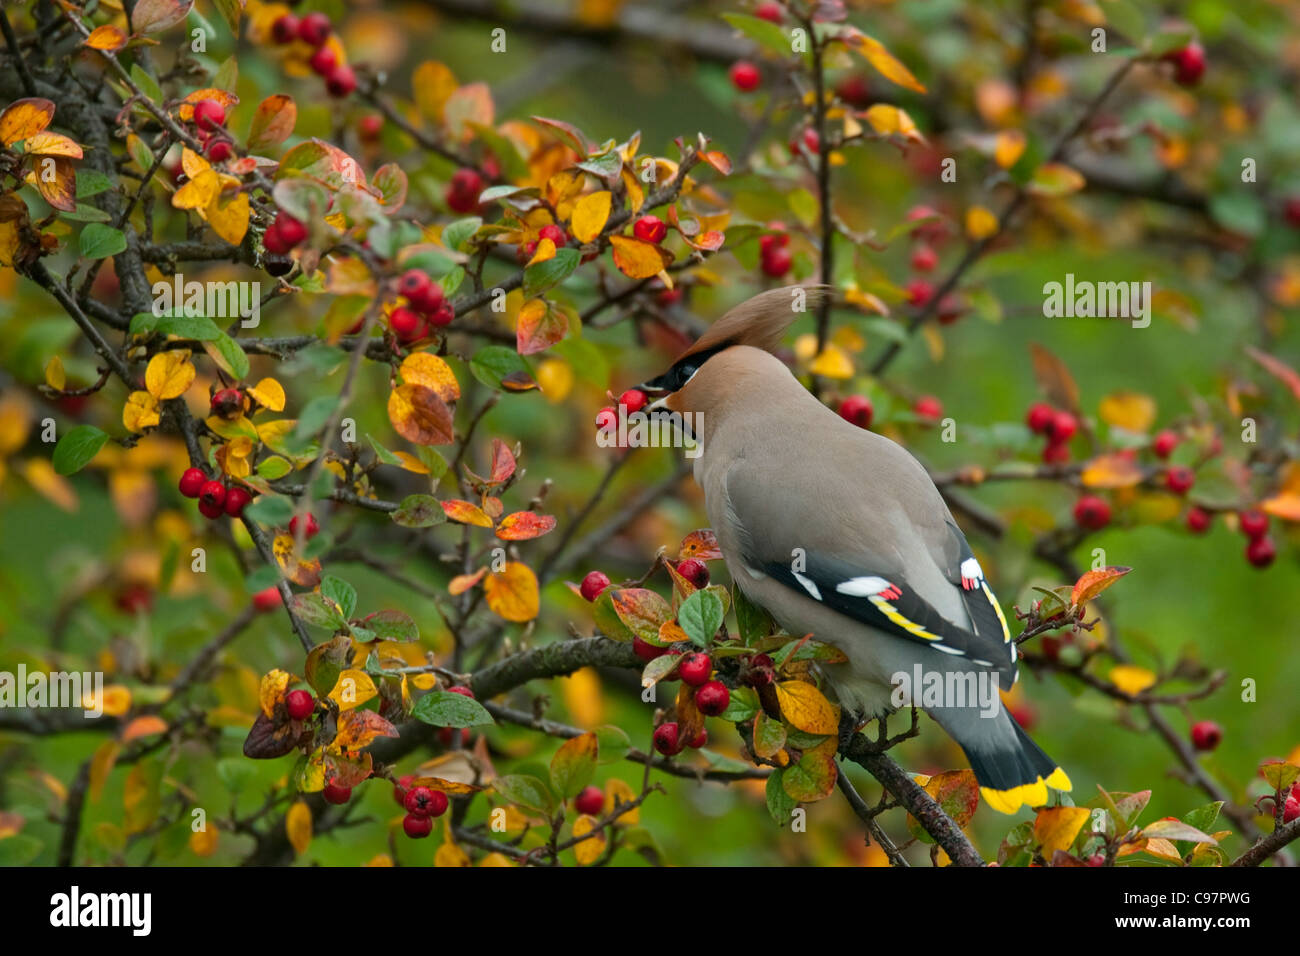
x=840 y=533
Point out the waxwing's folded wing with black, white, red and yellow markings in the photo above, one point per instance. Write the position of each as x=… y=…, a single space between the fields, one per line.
x=866 y=576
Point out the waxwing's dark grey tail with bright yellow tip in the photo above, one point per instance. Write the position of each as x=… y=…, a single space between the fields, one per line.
x=1012 y=771
